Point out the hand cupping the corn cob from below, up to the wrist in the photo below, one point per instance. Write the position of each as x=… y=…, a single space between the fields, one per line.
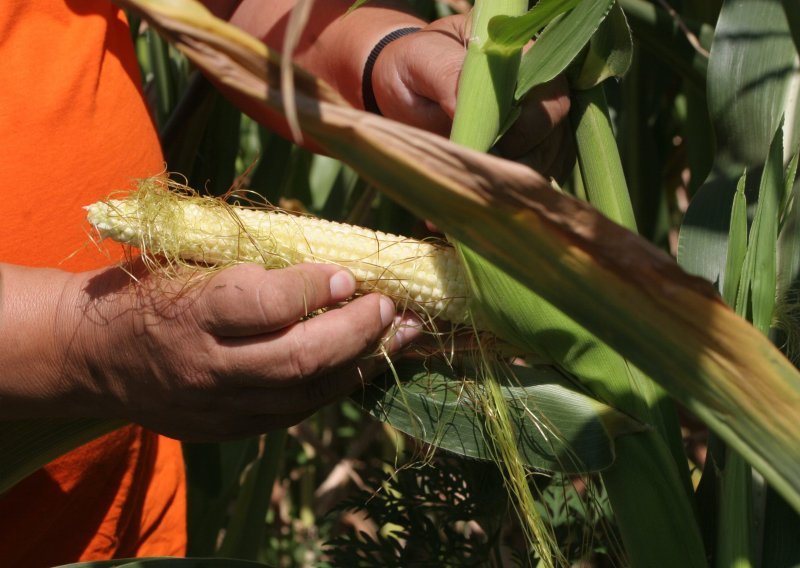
x=228 y=357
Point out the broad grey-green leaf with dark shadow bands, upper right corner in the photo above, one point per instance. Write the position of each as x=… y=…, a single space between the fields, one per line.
x=752 y=82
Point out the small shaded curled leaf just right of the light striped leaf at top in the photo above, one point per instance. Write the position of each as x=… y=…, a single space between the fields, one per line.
x=610 y=51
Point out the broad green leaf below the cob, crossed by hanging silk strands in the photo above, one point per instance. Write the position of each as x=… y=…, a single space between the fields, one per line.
x=558 y=428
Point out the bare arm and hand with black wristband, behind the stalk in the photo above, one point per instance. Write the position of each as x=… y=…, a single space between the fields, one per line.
x=414 y=79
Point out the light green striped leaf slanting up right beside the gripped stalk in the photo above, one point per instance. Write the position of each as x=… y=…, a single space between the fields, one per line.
x=559 y=44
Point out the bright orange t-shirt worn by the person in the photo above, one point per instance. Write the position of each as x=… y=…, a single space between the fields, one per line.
x=74 y=127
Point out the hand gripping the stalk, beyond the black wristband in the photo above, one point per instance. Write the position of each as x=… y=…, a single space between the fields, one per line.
x=415 y=80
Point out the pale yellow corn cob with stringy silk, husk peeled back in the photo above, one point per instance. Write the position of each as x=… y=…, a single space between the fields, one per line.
x=422 y=276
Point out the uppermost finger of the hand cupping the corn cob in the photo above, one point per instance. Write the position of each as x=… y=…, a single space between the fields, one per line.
x=247 y=300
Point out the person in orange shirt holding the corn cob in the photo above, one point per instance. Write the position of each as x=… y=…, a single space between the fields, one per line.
x=231 y=357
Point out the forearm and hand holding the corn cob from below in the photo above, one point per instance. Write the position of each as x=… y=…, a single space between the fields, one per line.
x=225 y=358
